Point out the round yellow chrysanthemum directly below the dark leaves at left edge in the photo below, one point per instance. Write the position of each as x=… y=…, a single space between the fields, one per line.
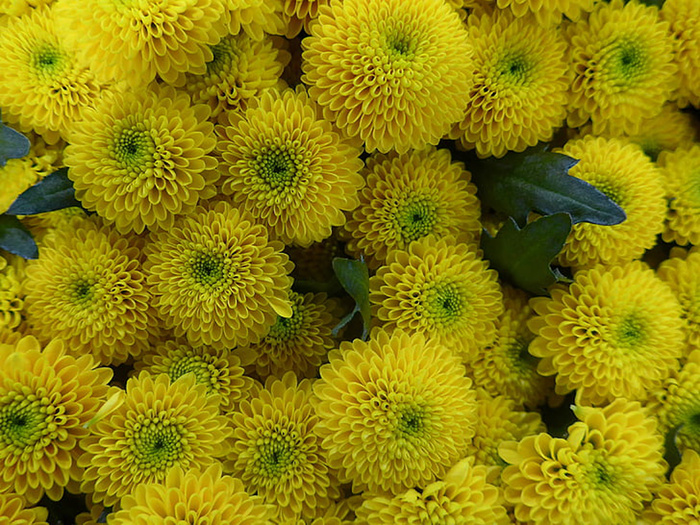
x=87 y=288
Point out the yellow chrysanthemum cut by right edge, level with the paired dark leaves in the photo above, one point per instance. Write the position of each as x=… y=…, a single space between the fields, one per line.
x=681 y=171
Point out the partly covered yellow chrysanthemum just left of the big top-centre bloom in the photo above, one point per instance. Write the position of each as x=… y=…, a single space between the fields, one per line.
x=242 y=68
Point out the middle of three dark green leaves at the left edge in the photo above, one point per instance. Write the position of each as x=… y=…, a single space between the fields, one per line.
x=53 y=192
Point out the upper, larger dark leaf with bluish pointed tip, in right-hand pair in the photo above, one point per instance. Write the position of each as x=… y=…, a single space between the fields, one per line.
x=539 y=181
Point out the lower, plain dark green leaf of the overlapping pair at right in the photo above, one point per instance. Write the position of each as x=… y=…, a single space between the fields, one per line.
x=522 y=256
